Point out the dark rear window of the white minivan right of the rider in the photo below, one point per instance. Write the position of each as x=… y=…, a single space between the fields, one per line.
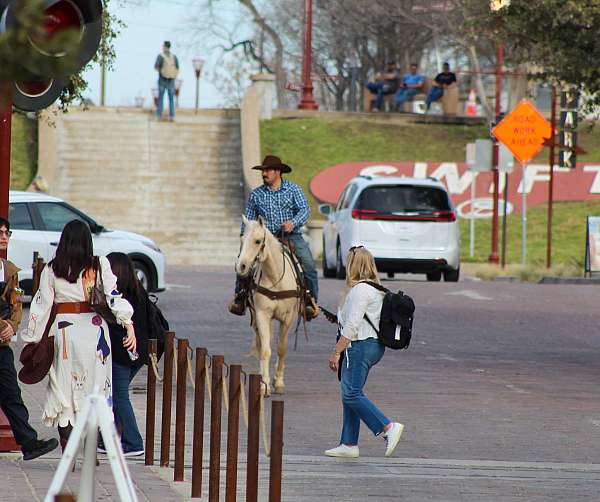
x=403 y=198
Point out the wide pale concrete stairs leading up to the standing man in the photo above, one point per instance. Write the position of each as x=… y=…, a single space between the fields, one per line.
x=179 y=183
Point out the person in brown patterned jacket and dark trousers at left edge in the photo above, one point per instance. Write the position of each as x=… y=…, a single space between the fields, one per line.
x=11 y=400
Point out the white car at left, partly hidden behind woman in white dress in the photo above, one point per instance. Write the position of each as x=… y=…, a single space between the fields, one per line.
x=37 y=220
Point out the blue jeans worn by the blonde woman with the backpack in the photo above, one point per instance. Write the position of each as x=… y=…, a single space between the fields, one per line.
x=360 y=358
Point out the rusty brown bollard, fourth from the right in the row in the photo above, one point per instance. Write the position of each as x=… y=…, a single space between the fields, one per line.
x=214 y=472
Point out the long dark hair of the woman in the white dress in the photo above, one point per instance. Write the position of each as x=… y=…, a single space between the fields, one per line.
x=75 y=252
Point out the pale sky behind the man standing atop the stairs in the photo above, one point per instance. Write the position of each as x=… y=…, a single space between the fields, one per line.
x=148 y=24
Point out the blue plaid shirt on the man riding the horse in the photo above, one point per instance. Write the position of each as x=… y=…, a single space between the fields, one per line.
x=276 y=207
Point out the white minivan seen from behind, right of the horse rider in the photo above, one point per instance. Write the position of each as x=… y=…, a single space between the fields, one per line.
x=408 y=224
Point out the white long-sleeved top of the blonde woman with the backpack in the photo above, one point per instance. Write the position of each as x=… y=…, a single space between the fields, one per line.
x=361 y=299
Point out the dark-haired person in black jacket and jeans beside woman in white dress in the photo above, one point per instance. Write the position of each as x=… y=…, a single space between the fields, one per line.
x=125 y=365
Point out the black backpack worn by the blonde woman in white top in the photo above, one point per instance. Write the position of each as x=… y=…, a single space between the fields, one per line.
x=395 y=322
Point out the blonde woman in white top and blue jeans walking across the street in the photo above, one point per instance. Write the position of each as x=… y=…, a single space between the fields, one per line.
x=362 y=350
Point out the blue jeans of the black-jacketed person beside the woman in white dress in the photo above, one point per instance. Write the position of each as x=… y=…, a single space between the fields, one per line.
x=131 y=439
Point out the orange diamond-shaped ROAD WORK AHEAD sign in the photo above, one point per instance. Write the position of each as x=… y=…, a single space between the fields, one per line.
x=524 y=131
